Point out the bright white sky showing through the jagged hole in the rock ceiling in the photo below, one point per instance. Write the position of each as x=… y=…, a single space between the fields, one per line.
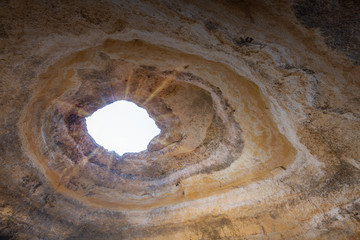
x=122 y=127
